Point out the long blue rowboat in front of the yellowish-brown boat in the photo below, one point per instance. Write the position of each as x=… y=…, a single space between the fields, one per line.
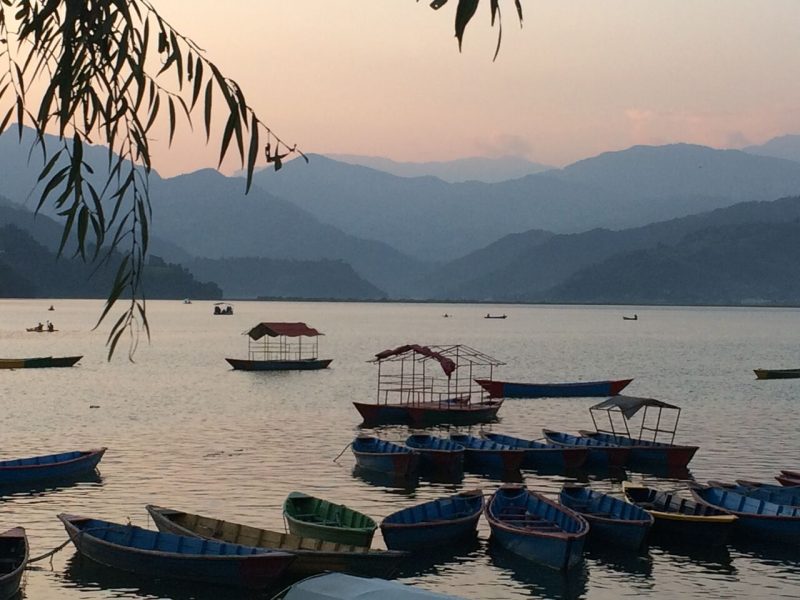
x=166 y=555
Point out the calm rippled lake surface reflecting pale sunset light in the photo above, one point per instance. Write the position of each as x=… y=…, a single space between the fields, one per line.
x=185 y=431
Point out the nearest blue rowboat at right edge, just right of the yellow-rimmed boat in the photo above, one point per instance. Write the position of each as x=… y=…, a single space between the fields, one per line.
x=756 y=518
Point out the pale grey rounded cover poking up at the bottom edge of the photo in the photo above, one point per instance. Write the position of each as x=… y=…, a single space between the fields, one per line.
x=338 y=586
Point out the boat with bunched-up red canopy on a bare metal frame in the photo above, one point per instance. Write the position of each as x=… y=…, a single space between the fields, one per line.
x=429 y=385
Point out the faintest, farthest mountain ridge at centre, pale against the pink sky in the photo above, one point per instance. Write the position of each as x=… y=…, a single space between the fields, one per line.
x=487 y=170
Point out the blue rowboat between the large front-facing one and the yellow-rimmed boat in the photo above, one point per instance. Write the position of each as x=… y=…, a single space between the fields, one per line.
x=610 y=519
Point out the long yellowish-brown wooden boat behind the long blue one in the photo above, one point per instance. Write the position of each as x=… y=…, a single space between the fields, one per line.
x=313 y=556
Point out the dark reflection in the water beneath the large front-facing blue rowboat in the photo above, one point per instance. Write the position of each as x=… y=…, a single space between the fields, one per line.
x=540 y=580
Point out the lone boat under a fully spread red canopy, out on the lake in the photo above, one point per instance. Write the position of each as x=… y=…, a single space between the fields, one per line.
x=279 y=347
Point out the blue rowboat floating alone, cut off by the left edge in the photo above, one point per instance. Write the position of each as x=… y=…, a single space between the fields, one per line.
x=51 y=466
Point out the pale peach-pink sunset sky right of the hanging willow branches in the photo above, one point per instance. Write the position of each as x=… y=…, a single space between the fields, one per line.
x=385 y=78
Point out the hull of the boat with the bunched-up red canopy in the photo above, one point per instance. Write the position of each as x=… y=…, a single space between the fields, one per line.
x=431 y=413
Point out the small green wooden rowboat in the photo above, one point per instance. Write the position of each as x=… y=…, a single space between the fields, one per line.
x=308 y=516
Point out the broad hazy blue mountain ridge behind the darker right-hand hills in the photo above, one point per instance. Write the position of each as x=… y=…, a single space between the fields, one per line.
x=435 y=221
